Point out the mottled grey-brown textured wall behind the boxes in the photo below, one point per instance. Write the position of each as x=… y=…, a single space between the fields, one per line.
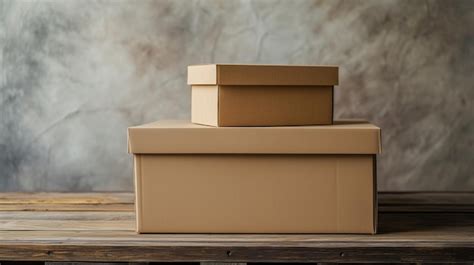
x=75 y=74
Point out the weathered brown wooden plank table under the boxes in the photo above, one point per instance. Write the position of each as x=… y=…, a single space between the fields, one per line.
x=99 y=227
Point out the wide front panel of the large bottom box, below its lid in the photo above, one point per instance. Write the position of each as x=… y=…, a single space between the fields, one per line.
x=255 y=194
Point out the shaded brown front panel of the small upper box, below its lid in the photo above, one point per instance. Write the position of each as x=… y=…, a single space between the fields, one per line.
x=275 y=105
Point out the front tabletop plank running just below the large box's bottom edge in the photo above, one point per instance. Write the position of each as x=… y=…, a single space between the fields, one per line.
x=133 y=240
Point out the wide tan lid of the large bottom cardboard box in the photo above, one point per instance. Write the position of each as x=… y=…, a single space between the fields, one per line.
x=183 y=137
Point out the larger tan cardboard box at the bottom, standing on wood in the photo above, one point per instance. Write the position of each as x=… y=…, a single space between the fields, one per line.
x=306 y=179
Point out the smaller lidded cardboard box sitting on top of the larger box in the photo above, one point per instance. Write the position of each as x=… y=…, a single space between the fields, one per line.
x=262 y=95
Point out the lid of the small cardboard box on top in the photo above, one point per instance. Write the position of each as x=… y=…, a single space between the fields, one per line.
x=235 y=74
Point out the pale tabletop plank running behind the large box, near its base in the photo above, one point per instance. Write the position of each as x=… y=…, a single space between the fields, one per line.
x=79 y=221
